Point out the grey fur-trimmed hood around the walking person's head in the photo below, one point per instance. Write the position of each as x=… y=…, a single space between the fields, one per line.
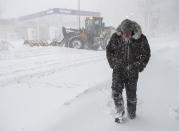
x=135 y=27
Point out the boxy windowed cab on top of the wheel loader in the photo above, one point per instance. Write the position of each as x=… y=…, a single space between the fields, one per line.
x=94 y=25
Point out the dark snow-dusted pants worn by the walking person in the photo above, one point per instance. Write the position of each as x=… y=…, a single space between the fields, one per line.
x=120 y=81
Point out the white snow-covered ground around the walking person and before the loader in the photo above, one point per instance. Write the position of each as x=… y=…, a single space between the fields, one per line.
x=60 y=89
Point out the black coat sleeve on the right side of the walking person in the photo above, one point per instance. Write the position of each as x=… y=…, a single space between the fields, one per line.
x=144 y=56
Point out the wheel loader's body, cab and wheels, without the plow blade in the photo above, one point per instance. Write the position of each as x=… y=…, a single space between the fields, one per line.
x=93 y=36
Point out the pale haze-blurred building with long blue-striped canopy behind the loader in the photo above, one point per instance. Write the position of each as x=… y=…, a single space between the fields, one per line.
x=44 y=25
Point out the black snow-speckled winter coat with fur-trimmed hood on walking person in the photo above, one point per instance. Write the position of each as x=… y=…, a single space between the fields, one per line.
x=128 y=56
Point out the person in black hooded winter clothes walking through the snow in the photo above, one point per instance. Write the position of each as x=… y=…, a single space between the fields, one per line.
x=128 y=53
